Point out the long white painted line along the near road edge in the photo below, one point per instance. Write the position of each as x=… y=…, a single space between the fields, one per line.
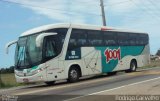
x=113 y=89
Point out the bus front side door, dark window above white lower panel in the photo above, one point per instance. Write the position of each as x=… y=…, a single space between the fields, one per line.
x=51 y=58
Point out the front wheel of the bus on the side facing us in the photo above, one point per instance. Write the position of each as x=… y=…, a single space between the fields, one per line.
x=73 y=74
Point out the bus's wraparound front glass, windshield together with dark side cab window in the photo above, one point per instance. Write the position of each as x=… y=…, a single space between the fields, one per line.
x=28 y=54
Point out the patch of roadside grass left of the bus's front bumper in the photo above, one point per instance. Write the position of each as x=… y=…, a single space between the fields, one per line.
x=8 y=80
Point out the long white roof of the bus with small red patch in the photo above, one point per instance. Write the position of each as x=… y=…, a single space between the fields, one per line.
x=78 y=26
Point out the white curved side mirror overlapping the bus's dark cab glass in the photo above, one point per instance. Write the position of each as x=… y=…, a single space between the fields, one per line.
x=40 y=38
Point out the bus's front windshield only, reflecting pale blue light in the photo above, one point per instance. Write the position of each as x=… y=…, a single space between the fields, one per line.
x=27 y=53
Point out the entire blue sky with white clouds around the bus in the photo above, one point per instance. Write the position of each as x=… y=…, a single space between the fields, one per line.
x=18 y=16
